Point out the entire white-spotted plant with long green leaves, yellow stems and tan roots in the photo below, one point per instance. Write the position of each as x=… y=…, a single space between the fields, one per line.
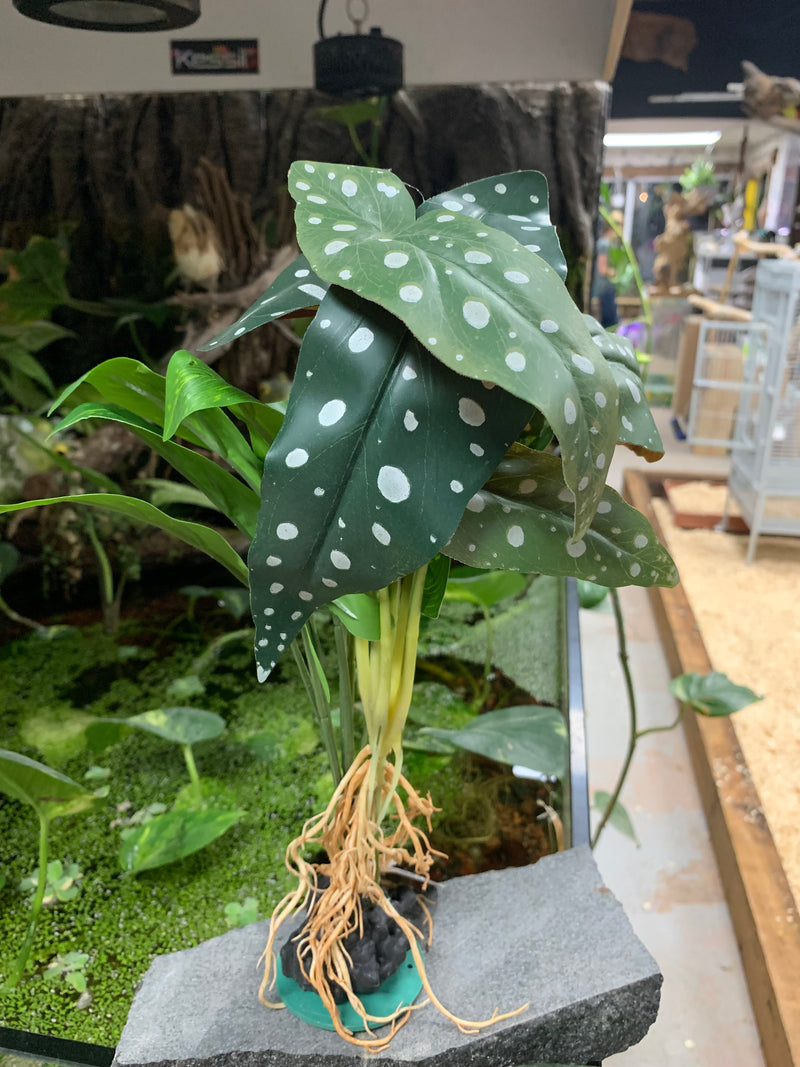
x=451 y=403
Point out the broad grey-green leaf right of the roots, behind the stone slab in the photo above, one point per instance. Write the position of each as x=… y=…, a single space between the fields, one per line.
x=533 y=737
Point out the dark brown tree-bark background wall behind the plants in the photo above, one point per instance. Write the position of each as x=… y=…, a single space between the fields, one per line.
x=110 y=167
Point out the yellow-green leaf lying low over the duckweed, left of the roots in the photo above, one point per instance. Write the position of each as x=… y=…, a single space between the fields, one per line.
x=173 y=836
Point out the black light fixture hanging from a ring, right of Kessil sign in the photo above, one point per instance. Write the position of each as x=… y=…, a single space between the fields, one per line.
x=358 y=65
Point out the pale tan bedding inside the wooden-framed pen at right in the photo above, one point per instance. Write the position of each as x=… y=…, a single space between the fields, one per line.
x=750 y=620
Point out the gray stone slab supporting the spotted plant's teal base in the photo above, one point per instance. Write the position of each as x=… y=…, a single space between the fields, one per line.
x=551 y=935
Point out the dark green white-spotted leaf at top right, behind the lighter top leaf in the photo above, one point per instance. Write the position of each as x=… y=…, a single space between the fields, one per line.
x=517 y=203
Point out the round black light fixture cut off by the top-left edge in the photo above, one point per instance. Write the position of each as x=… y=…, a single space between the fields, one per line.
x=125 y=17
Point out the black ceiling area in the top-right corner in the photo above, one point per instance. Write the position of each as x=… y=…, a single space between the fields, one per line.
x=767 y=33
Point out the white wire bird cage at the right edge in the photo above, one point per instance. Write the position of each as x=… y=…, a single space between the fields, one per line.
x=765 y=455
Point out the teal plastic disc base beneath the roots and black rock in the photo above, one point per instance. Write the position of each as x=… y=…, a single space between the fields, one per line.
x=399 y=991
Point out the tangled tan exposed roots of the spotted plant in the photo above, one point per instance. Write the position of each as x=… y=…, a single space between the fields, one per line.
x=359 y=854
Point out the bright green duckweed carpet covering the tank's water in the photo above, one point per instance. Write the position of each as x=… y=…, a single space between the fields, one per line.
x=268 y=762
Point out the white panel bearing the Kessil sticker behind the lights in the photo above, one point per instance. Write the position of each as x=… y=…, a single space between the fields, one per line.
x=446 y=42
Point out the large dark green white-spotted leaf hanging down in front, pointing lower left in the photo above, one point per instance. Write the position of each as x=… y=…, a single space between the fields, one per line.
x=381 y=448
